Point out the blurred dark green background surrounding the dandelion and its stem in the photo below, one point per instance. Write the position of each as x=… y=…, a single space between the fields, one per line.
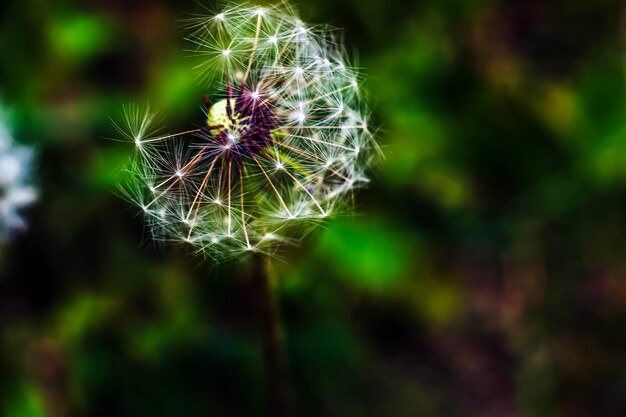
x=483 y=274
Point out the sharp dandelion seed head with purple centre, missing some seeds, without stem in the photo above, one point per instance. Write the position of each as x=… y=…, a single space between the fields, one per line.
x=226 y=191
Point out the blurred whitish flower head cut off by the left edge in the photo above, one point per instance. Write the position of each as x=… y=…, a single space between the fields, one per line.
x=16 y=192
